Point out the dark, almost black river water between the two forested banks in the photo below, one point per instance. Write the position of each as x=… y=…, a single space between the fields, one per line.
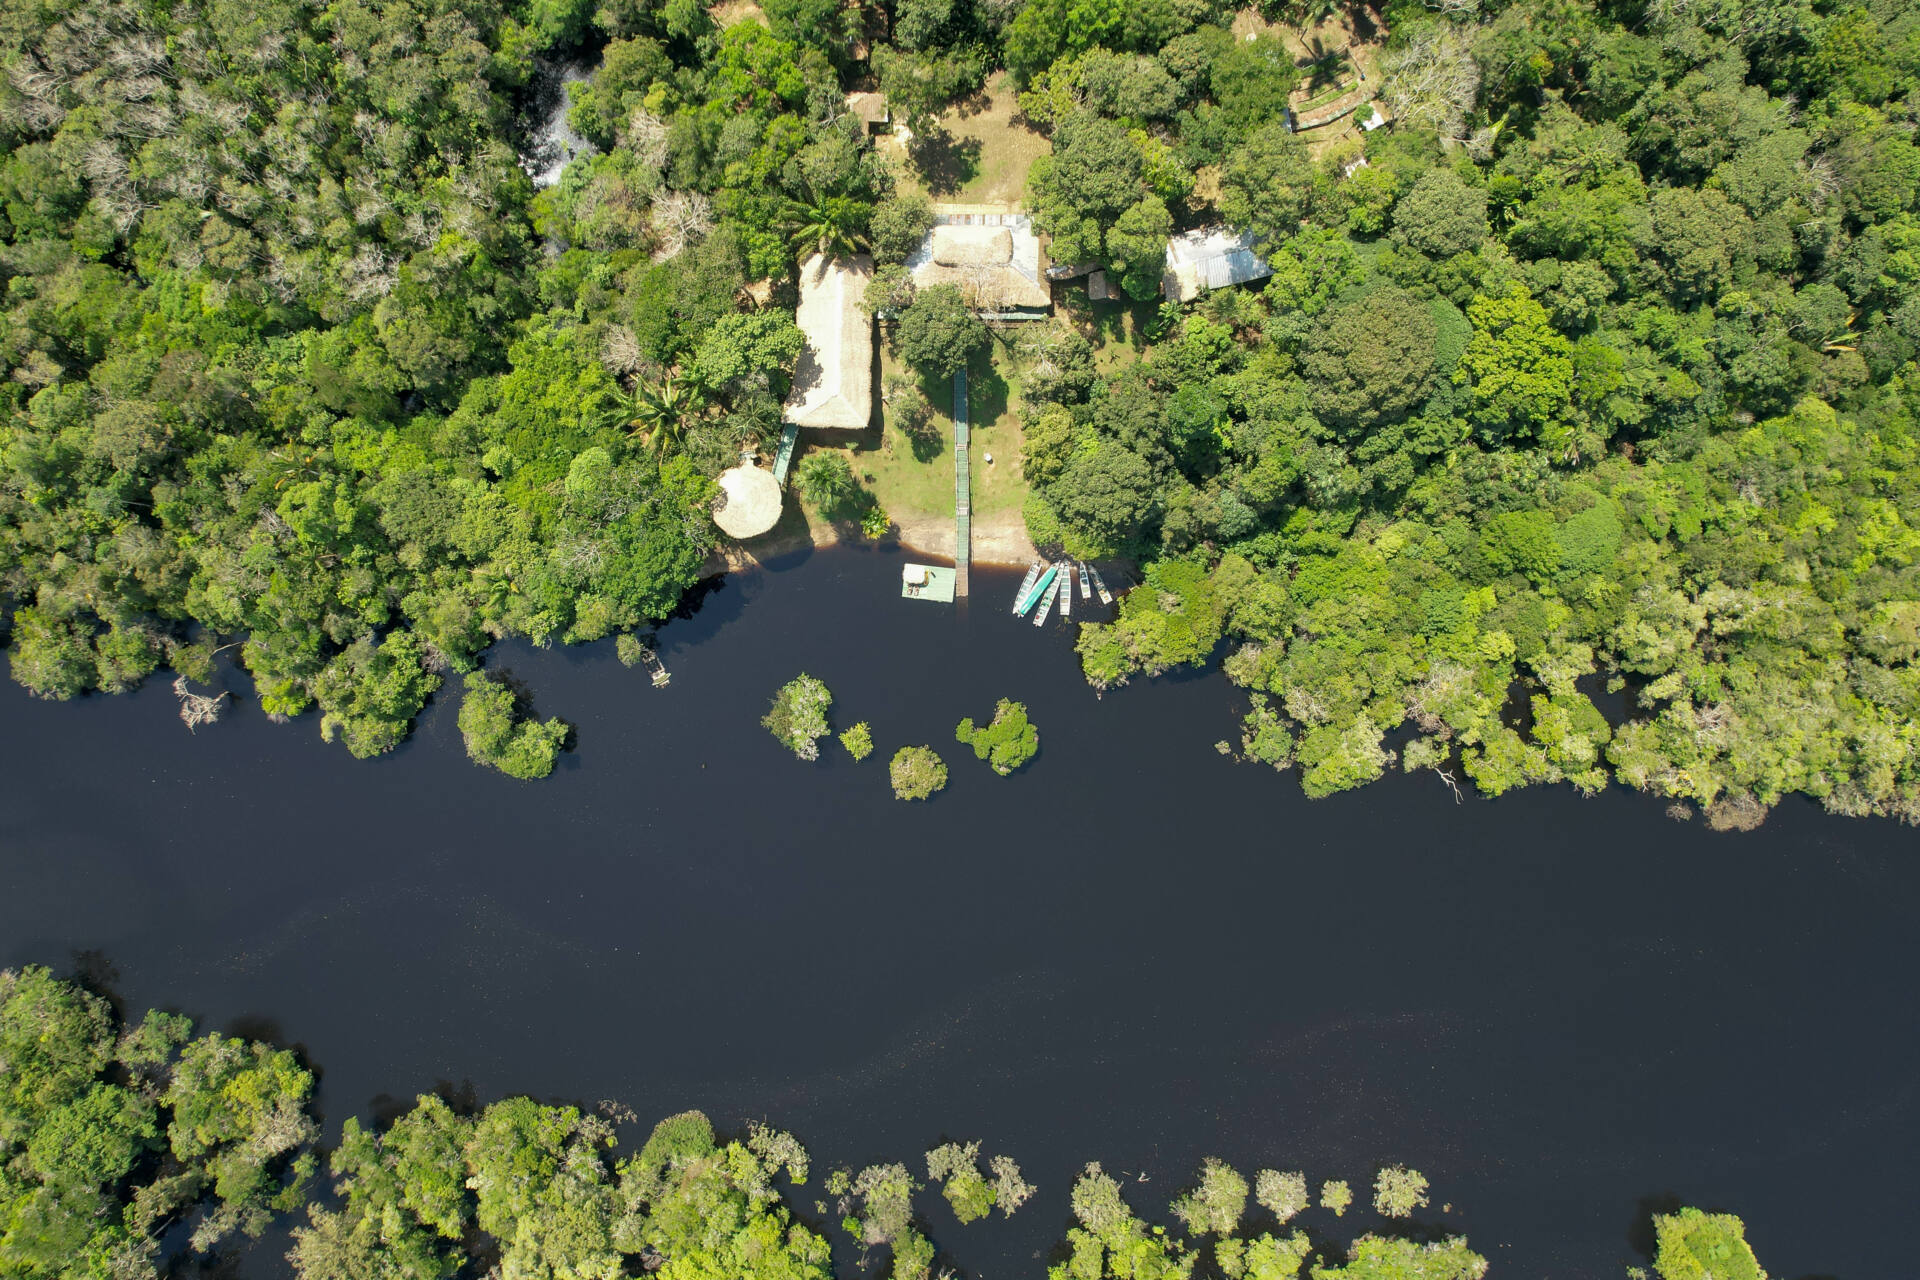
x=1566 y=1012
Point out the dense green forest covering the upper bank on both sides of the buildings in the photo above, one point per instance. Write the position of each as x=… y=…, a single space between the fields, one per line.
x=1596 y=379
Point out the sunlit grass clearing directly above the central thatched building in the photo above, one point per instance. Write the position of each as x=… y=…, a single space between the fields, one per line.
x=980 y=156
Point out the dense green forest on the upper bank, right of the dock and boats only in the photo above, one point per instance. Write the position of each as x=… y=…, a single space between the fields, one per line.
x=1598 y=377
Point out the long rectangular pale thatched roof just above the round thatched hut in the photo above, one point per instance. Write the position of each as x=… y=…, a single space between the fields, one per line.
x=834 y=379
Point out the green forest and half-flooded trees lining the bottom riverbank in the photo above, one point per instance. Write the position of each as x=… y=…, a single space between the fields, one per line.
x=112 y=1137
